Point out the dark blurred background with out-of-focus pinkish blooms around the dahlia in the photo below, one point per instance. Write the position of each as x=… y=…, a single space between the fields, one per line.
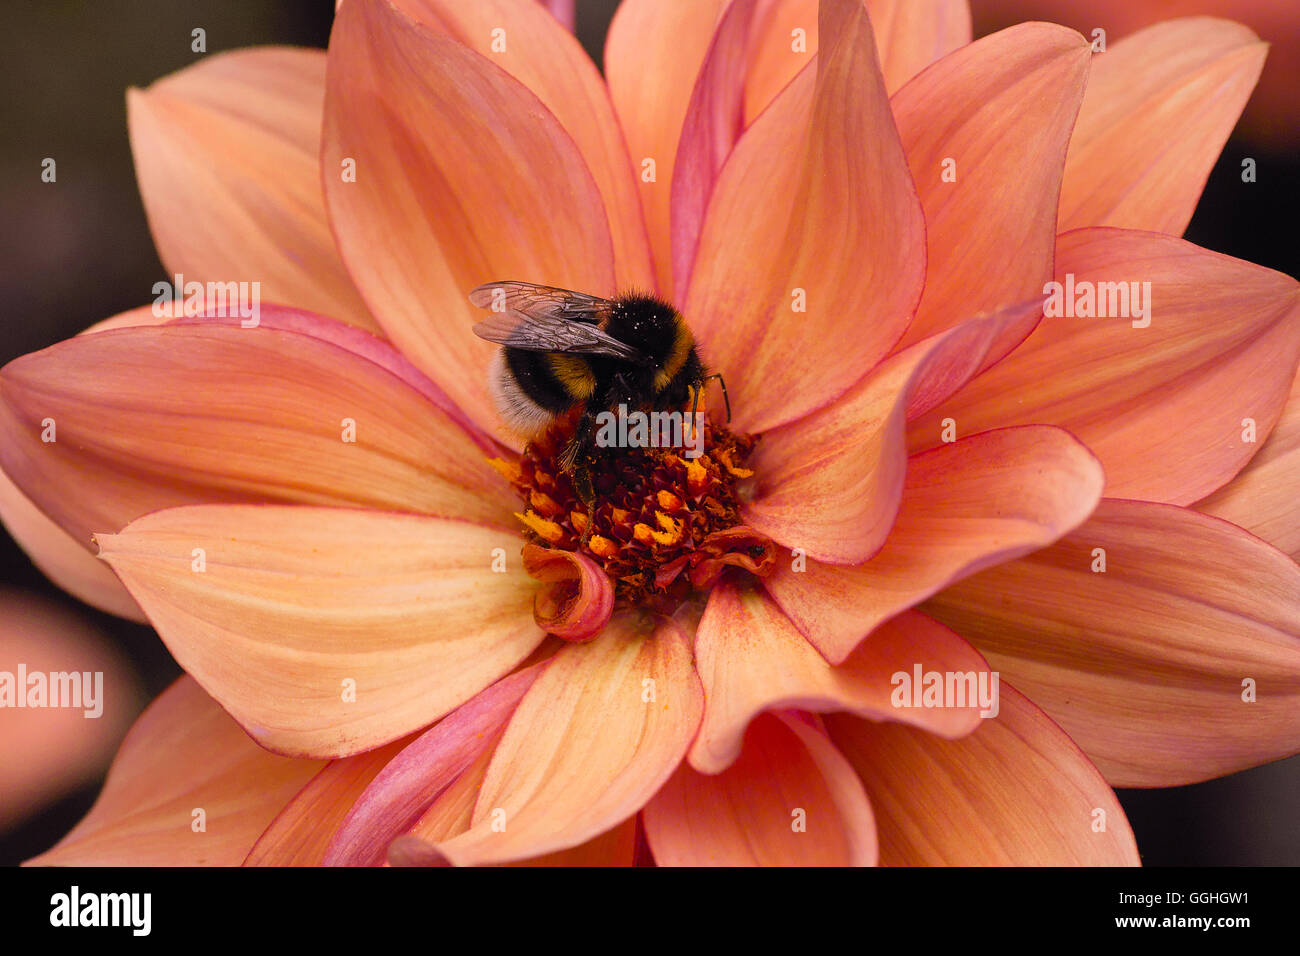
x=80 y=250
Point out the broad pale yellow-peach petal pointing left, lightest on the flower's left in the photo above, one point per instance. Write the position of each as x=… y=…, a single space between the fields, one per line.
x=328 y=631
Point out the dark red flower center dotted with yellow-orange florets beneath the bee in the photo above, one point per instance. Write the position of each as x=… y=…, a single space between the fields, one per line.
x=662 y=525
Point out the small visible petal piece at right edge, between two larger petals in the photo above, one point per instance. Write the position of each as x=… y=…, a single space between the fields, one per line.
x=1266 y=496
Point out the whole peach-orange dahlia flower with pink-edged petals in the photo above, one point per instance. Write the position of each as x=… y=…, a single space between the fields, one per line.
x=404 y=639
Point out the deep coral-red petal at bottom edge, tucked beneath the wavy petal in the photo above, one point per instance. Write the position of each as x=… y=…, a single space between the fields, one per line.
x=790 y=801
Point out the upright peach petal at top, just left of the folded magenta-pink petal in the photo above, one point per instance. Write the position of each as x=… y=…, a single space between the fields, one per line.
x=653 y=55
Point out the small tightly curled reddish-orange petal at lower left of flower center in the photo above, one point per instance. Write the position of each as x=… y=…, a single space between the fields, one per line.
x=577 y=598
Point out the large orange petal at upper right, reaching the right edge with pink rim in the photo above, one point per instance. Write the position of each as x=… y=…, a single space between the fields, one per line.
x=1160 y=393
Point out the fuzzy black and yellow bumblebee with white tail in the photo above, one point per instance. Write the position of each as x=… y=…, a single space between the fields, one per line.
x=562 y=349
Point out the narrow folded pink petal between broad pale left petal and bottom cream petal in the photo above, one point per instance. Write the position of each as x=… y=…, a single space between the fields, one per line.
x=436 y=762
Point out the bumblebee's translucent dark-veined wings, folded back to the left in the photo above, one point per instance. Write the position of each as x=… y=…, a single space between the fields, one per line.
x=549 y=321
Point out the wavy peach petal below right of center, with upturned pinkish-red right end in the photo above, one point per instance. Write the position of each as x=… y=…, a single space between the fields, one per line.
x=752 y=659
